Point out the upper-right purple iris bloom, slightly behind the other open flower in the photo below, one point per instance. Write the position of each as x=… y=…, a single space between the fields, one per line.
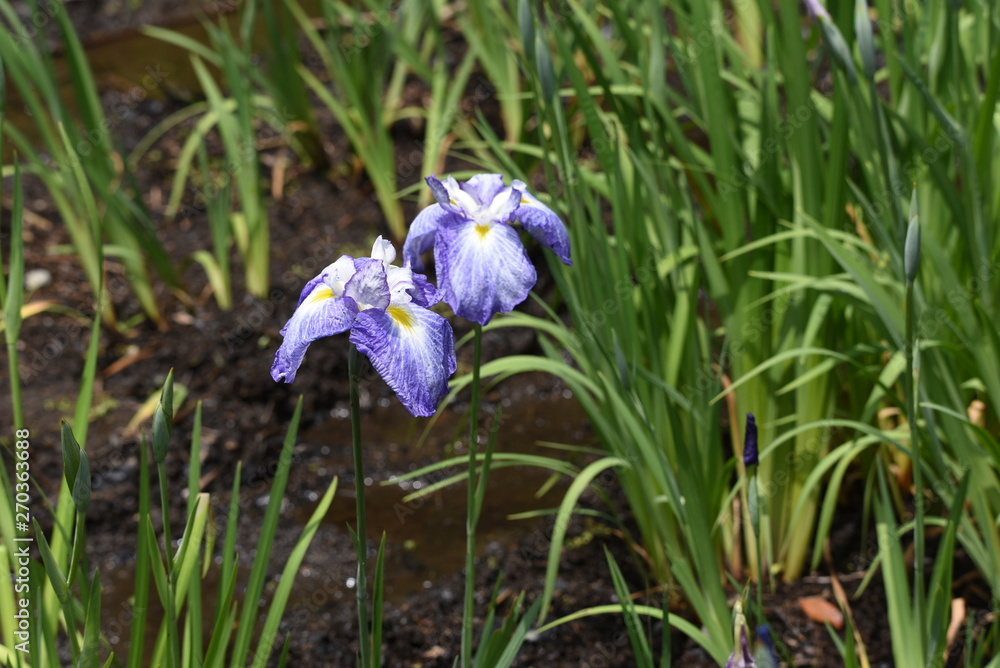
x=482 y=267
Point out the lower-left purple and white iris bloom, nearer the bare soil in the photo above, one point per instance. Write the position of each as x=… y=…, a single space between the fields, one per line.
x=387 y=310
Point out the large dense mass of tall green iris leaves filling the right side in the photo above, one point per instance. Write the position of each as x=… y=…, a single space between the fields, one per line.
x=743 y=242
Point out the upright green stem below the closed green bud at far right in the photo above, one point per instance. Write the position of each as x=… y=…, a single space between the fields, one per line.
x=918 y=484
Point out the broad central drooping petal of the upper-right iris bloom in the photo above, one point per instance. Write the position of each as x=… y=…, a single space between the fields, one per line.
x=482 y=269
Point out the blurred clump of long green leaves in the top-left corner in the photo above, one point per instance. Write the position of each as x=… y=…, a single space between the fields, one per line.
x=71 y=148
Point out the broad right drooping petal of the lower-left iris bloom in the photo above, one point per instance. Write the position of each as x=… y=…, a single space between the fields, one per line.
x=413 y=349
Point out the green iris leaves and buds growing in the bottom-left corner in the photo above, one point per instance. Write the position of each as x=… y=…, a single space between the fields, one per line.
x=178 y=577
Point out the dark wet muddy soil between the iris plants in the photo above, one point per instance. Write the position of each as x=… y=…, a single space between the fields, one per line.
x=222 y=359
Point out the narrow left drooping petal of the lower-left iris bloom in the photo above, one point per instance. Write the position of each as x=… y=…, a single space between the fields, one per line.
x=319 y=314
